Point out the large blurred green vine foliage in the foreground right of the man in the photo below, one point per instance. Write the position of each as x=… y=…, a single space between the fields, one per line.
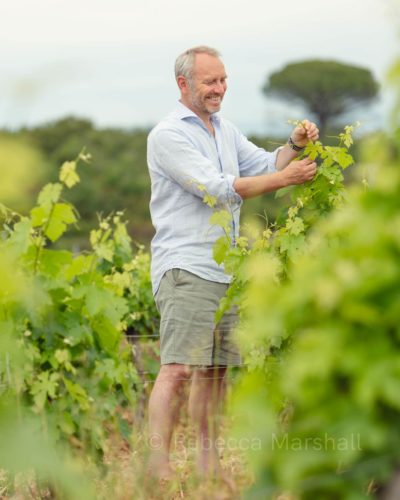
x=321 y=333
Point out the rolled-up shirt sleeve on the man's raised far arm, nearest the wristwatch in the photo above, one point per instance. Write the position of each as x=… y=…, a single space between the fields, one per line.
x=254 y=160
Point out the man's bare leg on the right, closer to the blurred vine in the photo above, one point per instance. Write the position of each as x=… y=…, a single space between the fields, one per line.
x=205 y=405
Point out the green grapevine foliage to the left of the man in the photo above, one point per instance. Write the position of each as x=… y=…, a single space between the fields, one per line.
x=66 y=373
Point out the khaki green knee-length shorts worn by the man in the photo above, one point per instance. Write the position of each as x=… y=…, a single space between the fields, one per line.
x=188 y=334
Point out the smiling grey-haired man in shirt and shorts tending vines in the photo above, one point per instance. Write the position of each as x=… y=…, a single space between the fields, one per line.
x=193 y=152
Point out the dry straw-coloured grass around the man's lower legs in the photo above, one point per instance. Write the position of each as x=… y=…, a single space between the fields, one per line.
x=127 y=478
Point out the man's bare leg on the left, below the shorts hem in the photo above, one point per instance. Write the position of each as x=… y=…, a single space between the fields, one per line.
x=164 y=404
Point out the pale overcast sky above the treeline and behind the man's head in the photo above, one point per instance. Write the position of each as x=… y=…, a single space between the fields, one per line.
x=112 y=61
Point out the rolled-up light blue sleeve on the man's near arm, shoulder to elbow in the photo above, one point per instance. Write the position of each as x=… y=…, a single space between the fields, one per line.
x=176 y=157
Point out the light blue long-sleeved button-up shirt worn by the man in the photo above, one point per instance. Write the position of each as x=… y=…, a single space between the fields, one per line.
x=183 y=158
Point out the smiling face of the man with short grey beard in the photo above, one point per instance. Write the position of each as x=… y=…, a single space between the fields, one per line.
x=207 y=87
